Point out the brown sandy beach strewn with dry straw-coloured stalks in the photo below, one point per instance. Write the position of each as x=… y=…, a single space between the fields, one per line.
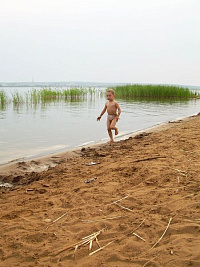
x=157 y=173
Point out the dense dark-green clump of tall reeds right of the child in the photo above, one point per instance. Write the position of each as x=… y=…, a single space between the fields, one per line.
x=153 y=92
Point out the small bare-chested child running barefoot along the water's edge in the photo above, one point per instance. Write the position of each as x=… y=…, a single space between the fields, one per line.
x=114 y=112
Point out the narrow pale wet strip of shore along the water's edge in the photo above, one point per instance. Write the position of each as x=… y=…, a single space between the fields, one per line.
x=46 y=156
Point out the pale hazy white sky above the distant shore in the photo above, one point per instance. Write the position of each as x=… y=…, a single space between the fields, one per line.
x=133 y=41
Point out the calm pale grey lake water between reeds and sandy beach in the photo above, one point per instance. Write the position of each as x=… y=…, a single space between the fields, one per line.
x=31 y=131
